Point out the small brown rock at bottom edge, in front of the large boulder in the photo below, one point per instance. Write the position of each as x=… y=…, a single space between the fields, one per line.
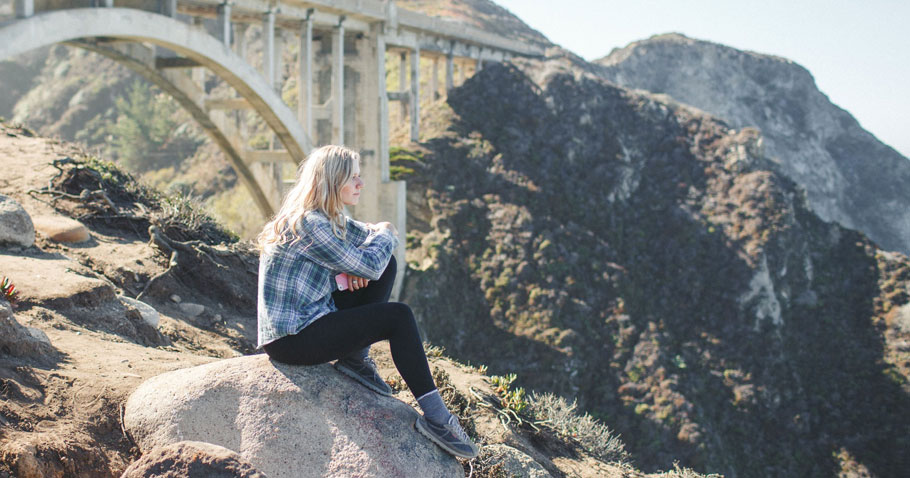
x=191 y=459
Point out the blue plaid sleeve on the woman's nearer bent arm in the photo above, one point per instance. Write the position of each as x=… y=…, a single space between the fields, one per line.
x=324 y=248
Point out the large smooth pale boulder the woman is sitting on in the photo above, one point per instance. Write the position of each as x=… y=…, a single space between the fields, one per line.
x=287 y=421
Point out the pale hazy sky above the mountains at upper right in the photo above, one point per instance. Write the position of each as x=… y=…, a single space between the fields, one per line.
x=857 y=50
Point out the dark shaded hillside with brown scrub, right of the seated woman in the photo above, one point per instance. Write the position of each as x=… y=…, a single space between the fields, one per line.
x=650 y=260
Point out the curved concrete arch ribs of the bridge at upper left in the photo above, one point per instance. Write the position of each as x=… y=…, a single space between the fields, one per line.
x=76 y=26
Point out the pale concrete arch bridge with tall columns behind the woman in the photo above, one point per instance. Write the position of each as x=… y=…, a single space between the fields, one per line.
x=341 y=88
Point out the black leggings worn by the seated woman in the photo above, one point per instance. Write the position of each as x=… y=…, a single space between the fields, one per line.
x=364 y=317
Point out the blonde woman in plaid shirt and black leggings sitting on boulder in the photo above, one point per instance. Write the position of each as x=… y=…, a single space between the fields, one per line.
x=308 y=251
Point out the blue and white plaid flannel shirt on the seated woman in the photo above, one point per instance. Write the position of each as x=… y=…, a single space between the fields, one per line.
x=296 y=280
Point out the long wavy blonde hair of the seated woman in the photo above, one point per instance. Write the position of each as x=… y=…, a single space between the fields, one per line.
x=318 y=188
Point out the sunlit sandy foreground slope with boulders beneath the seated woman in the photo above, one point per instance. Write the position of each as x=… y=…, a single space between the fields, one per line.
x=126 y=347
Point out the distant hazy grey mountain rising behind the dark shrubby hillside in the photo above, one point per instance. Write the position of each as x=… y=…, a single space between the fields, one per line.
x=849 y=175
